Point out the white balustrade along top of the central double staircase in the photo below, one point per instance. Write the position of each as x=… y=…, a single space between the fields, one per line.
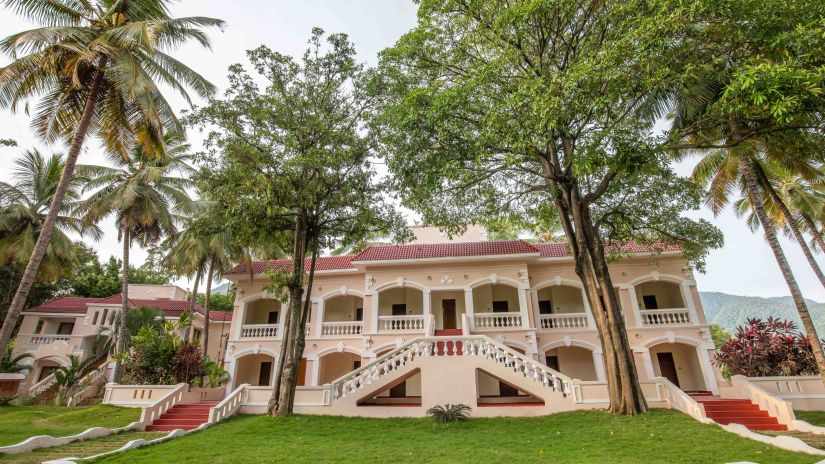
x=473 y=345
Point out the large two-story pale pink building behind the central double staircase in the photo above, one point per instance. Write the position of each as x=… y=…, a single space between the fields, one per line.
x=525 y=296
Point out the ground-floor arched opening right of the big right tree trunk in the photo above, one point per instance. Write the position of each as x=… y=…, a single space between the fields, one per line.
x=679 y=363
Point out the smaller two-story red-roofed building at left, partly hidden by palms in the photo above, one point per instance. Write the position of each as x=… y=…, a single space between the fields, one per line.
x=69 y=325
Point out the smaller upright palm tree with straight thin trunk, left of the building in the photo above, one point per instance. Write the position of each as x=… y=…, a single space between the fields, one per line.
x=143 y=193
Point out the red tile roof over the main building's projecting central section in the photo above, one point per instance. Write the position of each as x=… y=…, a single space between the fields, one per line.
x=444 y=250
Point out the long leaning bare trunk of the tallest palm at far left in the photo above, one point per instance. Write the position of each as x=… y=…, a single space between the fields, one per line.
x=45 y=236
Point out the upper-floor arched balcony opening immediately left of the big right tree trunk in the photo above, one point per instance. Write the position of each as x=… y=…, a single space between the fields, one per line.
x=561 y=307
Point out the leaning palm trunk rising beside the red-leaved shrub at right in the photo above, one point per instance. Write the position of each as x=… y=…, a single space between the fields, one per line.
x=746 y=165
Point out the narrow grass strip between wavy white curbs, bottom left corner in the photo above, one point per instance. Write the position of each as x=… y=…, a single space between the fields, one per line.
x=79 y=448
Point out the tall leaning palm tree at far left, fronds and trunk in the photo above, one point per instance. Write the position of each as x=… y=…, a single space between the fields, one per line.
x=97 y=64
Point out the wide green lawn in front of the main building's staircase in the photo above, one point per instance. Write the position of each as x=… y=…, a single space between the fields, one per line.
x=587 y=436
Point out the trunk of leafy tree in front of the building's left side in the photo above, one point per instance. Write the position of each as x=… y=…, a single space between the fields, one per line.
x=287 y=365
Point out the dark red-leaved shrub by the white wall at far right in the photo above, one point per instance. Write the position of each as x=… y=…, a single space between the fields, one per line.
x=767 y=348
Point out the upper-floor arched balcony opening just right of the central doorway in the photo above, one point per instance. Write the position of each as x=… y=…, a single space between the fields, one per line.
x=496 y=306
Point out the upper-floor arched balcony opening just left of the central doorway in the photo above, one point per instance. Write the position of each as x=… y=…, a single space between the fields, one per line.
x=401 y=309
